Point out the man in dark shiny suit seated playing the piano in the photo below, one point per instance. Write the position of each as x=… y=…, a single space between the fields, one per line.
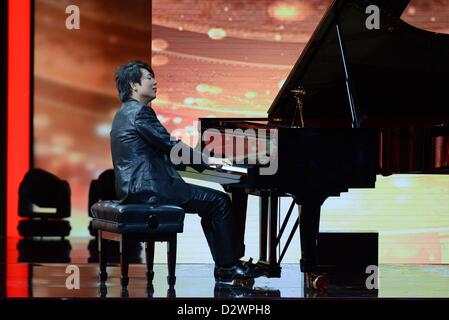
x=144 y=173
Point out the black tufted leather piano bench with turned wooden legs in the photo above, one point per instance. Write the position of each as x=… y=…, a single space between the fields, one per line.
x=137 y=223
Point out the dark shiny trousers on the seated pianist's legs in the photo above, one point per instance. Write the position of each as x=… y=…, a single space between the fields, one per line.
x=214 y=208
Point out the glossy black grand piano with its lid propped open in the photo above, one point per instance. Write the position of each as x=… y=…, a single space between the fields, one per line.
x=358 y=102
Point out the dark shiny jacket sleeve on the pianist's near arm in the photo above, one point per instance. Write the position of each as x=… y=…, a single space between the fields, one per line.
x=153 y=132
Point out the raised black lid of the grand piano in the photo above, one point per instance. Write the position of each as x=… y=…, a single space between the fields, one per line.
x=398 y=72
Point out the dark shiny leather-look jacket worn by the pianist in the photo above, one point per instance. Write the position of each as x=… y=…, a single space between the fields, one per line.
x=140 y=148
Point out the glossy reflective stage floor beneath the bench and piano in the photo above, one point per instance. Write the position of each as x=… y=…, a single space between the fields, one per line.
x=196 y=280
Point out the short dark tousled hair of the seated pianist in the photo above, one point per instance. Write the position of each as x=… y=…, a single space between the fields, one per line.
x=127 y=73
